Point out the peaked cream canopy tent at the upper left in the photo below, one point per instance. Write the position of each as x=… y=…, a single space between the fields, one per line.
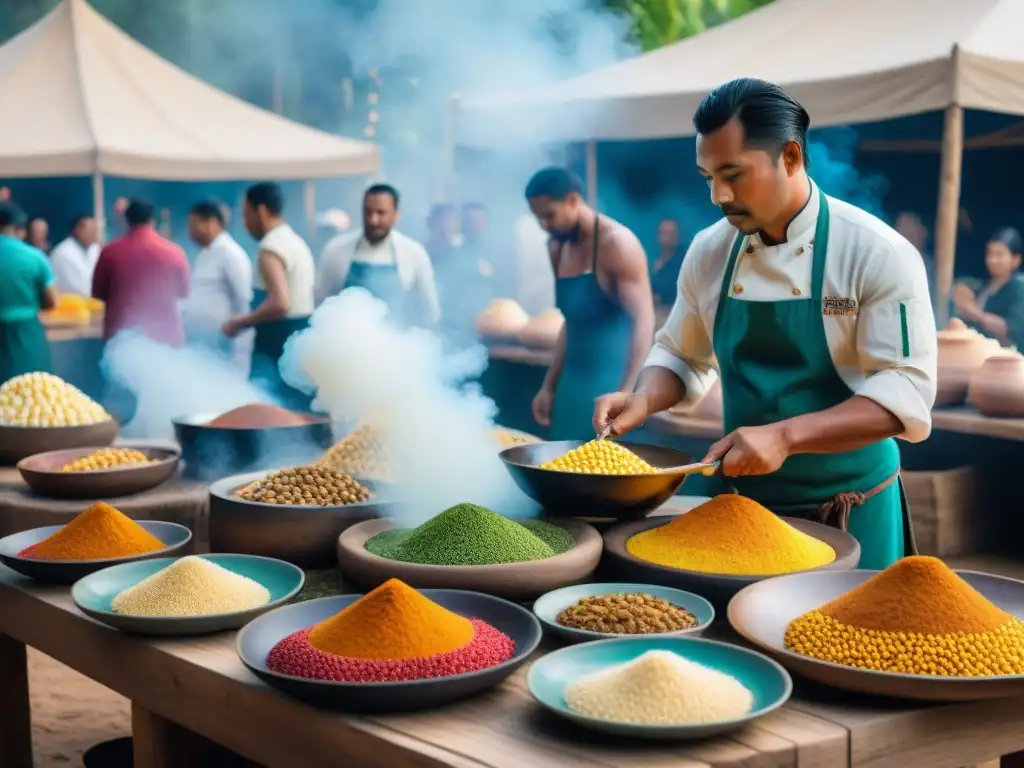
x=83 y=99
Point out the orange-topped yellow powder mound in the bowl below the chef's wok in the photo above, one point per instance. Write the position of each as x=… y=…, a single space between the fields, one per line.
x=734 y=535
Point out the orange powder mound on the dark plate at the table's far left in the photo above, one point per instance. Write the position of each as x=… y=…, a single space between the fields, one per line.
x=100 y=533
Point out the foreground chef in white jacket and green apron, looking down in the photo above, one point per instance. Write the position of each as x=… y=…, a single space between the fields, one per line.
x=817 y=317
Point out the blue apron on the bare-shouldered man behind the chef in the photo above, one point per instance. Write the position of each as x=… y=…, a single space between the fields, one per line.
x=598 y=349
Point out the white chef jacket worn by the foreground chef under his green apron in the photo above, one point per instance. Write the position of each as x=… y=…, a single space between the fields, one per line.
x=885 y=349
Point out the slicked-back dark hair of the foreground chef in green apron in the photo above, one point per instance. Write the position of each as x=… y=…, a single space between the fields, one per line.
x=771 y=117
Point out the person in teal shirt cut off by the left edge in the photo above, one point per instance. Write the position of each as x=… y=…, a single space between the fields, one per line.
x=26 y=288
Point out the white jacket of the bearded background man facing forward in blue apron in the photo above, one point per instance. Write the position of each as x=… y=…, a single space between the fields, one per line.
x=416 y=273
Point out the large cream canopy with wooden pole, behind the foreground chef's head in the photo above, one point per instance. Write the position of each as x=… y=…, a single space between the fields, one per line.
x=847 y=62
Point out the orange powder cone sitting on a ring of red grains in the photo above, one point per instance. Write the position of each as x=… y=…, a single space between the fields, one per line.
x=394 y=622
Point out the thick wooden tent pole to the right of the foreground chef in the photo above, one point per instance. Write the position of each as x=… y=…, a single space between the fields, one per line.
x=948 y=217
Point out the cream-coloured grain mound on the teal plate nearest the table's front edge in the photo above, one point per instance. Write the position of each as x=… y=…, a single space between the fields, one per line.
x=660 y=689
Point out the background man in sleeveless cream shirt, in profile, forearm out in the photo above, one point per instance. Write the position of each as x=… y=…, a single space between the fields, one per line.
x=283 y=291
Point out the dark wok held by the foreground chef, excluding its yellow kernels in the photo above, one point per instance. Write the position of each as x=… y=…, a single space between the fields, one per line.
x=575 y=495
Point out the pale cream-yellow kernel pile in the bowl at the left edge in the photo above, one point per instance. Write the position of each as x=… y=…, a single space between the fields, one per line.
x=39 y=400
